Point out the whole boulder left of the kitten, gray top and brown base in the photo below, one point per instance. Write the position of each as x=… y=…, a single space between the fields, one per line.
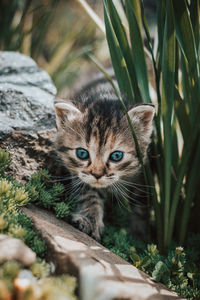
x=27 y=117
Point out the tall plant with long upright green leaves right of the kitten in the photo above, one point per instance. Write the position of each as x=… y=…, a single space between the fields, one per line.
x=176 y=146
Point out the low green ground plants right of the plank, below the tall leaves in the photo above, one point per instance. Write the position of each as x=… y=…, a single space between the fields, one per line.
x=178 y=269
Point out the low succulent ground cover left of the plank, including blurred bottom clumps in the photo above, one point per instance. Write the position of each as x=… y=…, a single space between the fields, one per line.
x=14 y=223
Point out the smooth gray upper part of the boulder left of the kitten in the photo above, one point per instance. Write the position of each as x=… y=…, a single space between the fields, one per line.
x=26 y=95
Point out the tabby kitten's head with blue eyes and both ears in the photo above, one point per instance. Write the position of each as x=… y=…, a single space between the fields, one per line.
x=96 y=143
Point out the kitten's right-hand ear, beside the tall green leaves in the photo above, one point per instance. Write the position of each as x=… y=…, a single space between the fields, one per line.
x=142 y=116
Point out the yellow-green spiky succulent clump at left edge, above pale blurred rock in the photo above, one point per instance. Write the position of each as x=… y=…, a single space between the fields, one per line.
x=12 y=221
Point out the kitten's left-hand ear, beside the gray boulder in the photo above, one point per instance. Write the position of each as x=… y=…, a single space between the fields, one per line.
x=66 y=112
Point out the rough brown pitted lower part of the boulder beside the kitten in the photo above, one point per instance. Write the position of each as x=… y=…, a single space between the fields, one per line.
x=29 y=151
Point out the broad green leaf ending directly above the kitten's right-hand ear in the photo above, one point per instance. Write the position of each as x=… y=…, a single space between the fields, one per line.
x=134 y=19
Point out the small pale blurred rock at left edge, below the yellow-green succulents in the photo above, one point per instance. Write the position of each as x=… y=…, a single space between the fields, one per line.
x=14 y=249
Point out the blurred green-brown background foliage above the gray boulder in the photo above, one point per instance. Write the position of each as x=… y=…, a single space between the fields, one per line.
x=57 y=34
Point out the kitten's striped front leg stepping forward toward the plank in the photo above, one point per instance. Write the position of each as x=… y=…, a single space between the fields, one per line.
x=89 y=215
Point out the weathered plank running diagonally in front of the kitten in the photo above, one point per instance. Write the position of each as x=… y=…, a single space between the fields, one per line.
x=102 y=275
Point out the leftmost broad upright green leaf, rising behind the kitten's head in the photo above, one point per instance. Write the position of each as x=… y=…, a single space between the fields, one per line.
x=118 y=61
